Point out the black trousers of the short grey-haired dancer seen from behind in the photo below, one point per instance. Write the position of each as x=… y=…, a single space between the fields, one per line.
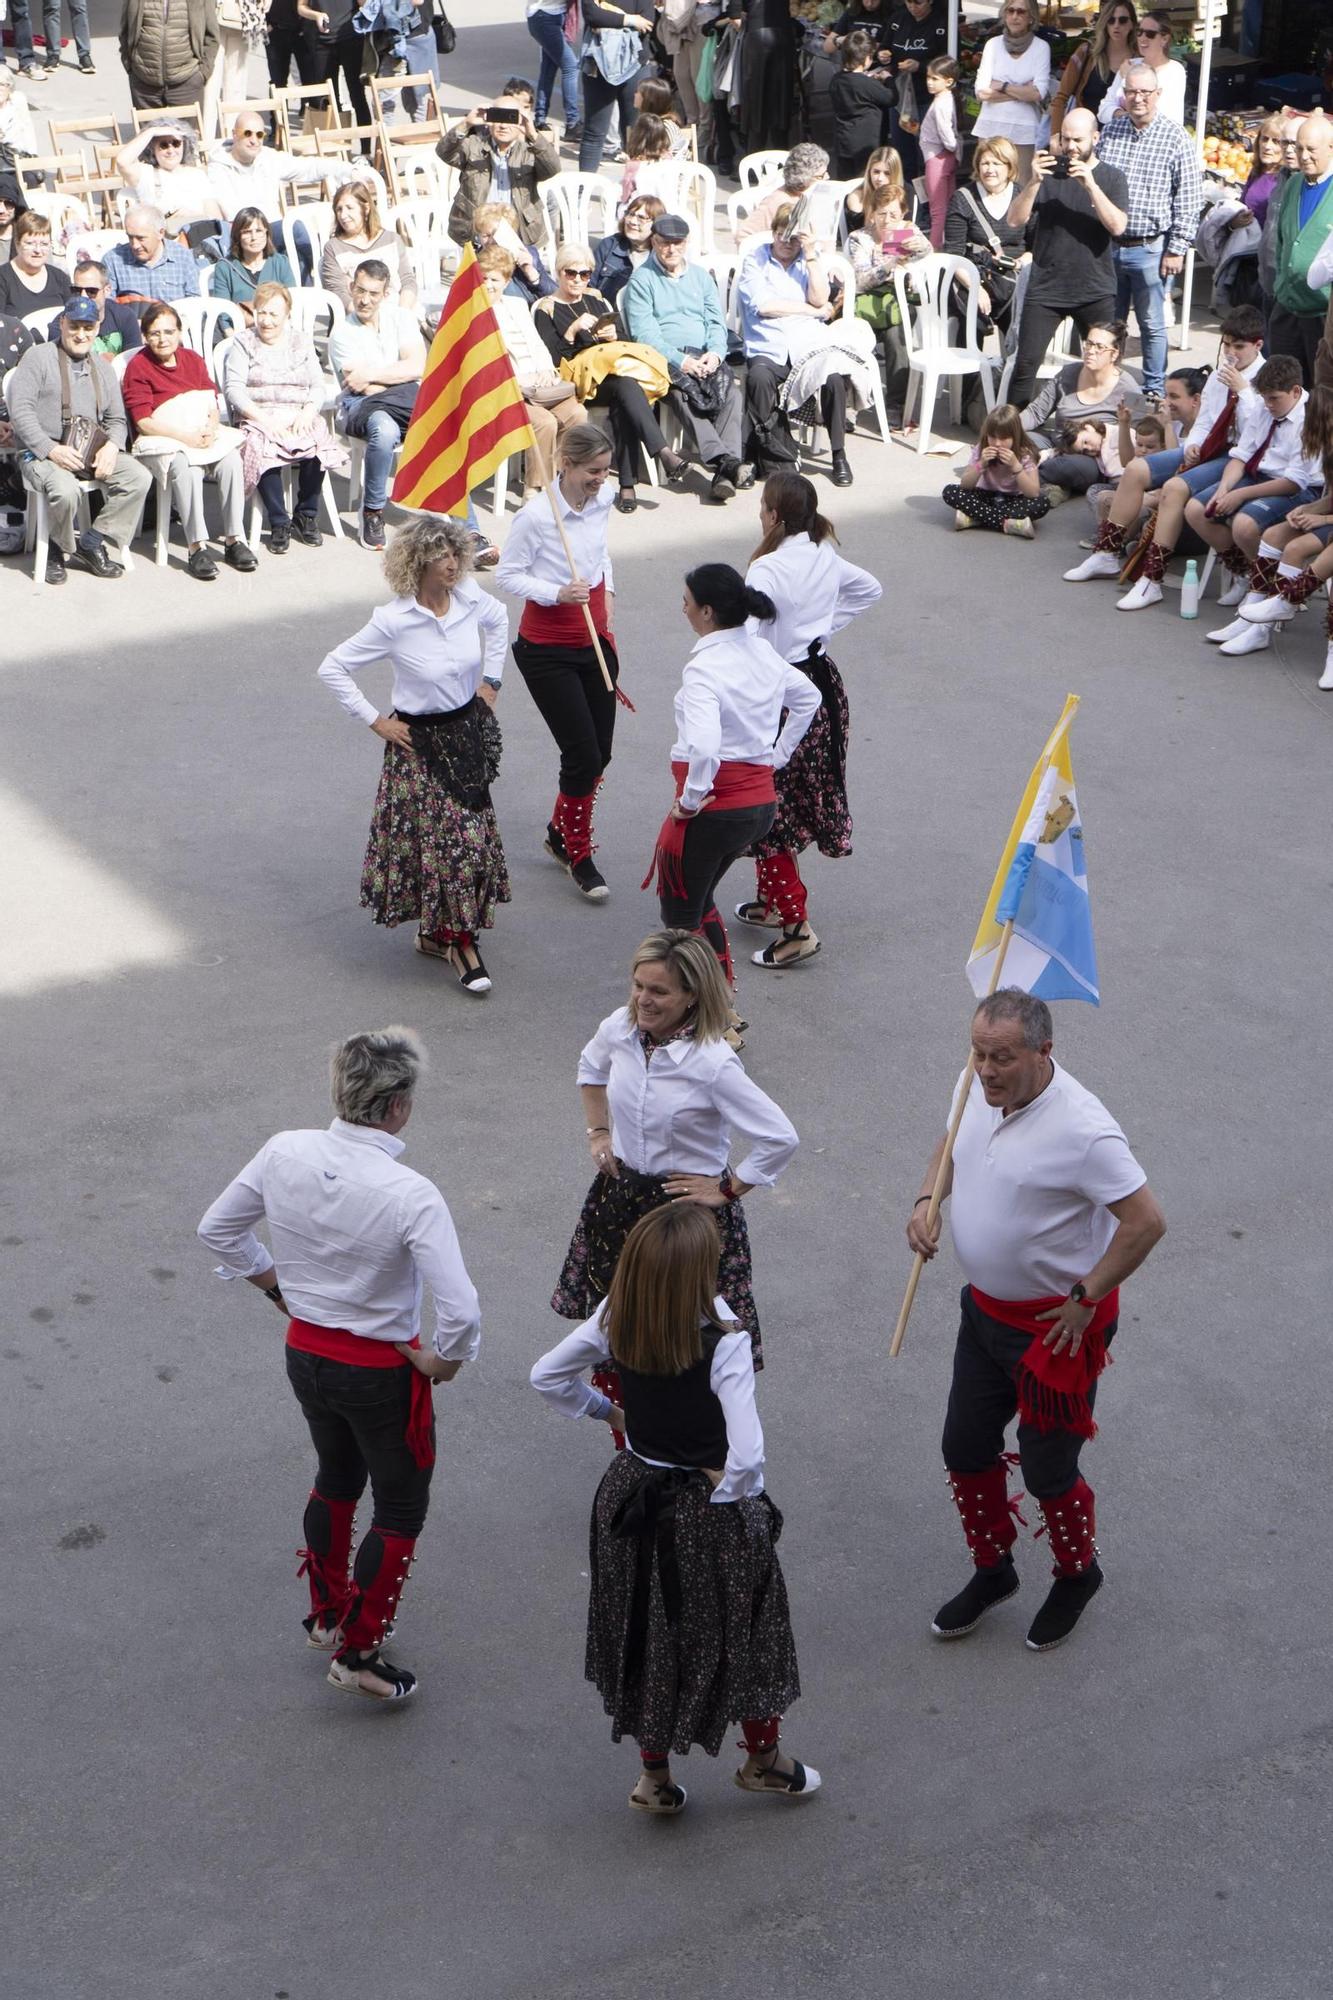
x=357 y=1423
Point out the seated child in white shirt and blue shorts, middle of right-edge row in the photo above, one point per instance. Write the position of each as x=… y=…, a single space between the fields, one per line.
x=1268 y=473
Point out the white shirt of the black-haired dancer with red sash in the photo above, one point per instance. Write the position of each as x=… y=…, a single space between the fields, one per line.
x=730 y=709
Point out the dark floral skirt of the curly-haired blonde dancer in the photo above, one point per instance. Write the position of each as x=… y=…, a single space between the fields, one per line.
x=435 y=851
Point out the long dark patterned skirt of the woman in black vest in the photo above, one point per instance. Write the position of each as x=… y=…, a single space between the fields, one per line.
x=690 y=1629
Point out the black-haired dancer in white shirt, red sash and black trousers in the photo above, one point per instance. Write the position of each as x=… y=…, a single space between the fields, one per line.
x=730 y=741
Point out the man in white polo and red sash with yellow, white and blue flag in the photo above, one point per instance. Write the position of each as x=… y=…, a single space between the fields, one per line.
x=1050 y=1215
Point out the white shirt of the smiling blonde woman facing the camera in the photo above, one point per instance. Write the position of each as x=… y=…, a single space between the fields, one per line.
x=674 y=1115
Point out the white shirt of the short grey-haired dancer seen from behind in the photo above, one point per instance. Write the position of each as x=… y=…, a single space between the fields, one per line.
x=355 y=1237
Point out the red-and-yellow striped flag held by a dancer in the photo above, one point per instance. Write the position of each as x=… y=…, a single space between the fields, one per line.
x=469 y=409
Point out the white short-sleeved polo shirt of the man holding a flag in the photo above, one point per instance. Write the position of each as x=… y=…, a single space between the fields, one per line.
x=1030 y=1191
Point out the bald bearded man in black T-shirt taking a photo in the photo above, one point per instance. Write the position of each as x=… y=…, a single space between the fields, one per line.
x=1078 y=207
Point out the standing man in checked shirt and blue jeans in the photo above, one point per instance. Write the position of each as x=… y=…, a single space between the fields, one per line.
x=1162 y=173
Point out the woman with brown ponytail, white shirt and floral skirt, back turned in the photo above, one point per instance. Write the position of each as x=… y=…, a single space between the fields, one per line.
x=816 y=593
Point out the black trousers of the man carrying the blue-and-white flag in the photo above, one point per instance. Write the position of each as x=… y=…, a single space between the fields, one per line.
x=984 y=1403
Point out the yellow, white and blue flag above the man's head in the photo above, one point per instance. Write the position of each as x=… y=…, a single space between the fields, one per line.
x=1042 y=889
